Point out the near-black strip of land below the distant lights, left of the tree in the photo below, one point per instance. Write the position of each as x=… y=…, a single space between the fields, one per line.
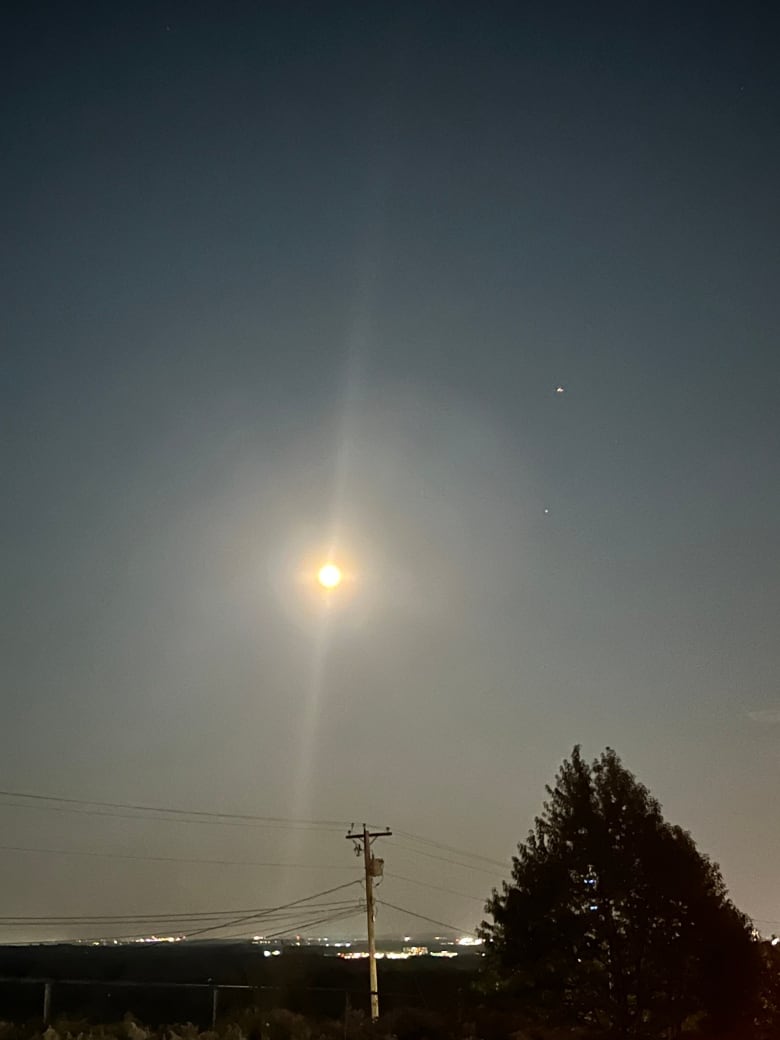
x=198 y=982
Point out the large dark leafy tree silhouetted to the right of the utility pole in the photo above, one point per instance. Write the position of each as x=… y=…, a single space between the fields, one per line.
x=614 y=920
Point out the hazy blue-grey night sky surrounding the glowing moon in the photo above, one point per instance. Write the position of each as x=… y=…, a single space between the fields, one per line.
x=282 y=281
